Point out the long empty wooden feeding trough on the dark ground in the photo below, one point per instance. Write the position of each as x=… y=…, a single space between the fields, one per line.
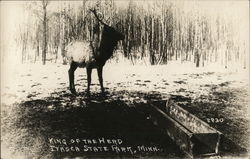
x=192 y=135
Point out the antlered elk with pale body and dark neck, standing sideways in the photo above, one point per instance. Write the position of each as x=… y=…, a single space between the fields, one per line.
x=81 y=54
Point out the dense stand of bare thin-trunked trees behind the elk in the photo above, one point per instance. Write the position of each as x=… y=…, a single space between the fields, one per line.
x=155 y=31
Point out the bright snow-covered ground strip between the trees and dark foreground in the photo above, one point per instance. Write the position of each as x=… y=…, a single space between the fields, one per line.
x=32 y=81
